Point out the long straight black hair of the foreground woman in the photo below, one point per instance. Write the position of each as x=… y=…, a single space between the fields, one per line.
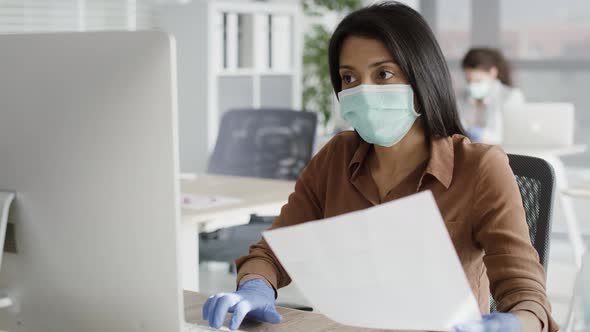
x=411 y=43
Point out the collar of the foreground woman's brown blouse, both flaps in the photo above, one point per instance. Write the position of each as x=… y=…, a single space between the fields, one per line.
x=440 y=164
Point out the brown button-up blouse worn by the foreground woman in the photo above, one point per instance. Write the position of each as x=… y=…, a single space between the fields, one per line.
x=478 y=198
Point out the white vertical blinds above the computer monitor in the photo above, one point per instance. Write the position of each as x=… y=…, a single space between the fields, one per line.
x=75 y=15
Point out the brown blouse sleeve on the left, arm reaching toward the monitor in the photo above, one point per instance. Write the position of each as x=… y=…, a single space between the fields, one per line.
x=304 y=205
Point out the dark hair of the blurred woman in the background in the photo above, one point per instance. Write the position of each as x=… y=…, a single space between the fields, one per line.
x=486 y=58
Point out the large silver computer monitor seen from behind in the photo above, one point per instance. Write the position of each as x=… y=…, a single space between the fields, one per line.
x=88 y=144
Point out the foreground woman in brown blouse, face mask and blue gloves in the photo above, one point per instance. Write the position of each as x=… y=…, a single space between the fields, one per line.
x=395 y=90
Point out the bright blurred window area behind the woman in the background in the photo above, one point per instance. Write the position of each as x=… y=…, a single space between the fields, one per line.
x=547 y=42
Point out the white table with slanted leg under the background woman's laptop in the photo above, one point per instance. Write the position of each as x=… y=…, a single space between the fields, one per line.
x=563 y=200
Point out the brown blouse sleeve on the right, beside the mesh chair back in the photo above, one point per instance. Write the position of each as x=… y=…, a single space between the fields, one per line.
x=517 y=279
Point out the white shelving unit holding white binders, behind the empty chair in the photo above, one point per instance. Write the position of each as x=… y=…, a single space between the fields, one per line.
x=231 y=54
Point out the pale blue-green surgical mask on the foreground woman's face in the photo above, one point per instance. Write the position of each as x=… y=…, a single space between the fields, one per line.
x=381 y=114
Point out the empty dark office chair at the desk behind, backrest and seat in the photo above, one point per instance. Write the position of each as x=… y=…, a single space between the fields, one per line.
x=263 y=143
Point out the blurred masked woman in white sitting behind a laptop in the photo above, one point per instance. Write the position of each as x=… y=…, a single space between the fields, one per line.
x=489 y=93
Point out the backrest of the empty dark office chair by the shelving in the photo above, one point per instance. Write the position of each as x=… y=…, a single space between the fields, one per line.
x=264 y=143
